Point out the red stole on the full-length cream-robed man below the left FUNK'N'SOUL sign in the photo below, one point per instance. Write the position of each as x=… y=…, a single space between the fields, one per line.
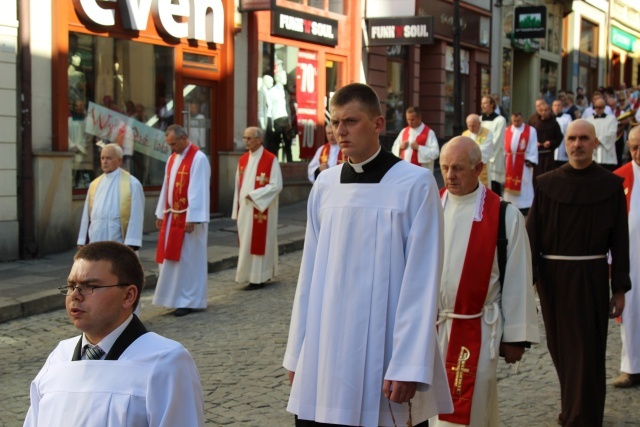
x=263 y=175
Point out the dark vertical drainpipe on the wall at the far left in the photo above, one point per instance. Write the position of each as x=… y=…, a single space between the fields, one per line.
x=28 y=245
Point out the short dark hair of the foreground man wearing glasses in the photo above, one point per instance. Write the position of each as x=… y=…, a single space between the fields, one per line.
x=125 y=264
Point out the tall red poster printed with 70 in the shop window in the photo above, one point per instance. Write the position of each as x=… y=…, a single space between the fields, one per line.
x=307 y=100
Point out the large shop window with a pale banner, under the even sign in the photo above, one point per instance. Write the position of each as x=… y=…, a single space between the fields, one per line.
x=119 y=92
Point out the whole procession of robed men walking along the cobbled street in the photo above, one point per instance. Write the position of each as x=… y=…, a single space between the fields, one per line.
x=405 y=303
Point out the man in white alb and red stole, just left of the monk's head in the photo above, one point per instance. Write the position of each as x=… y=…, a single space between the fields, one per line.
x=521 y=155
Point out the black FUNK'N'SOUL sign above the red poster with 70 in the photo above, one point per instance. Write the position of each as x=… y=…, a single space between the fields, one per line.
x=303 y=26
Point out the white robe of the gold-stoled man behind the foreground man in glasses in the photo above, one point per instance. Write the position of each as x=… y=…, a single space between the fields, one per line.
x=105 y=213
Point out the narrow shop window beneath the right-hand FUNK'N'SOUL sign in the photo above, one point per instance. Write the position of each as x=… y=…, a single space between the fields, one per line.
x=396 y=84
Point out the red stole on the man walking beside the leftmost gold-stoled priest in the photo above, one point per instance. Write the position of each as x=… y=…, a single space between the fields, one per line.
x=173 y=247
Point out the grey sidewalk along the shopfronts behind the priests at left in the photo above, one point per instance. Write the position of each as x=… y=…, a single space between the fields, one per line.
x=28 y=287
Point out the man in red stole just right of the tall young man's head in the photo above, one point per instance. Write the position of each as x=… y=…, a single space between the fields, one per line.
x=417 y=143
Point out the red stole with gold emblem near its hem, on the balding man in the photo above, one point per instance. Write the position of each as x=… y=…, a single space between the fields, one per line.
x=465 y=340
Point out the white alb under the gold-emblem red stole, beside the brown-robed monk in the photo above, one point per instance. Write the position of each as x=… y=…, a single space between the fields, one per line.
x=515 y=319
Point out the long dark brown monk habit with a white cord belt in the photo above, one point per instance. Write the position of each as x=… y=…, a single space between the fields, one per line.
x=579 y=213
